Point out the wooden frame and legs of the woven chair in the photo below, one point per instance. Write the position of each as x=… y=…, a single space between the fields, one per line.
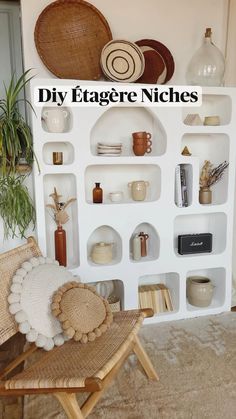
x=93 y=385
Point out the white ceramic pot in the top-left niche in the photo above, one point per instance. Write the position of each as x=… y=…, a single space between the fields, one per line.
x=55 y=119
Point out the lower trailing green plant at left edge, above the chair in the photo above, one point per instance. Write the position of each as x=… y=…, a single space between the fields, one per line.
x=16 y=206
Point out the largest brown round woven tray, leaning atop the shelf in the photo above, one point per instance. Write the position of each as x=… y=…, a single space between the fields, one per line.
x=69 y=37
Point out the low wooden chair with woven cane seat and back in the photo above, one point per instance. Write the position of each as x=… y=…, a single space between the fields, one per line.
x=73 y=367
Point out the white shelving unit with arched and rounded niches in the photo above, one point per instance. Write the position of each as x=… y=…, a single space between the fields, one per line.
x=158 y=215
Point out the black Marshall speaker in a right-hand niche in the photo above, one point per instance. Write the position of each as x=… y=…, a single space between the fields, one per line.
x=194 y=243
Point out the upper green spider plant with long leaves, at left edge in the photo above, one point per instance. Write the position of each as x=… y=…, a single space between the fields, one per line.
x=15 y=134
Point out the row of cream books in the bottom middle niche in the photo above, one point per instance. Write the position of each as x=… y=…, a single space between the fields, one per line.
x=156 y=296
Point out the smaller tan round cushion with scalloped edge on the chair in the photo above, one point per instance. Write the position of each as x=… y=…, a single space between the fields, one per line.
x=83 y=314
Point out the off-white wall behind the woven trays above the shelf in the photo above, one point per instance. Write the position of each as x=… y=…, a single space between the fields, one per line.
x=179 y=24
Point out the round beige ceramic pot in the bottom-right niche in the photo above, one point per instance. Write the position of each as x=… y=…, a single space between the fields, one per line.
x=199 y=291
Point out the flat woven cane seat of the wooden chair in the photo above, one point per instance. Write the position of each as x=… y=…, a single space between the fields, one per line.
x=69 y=365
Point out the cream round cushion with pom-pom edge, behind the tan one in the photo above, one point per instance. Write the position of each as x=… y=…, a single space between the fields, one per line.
x=32 y=288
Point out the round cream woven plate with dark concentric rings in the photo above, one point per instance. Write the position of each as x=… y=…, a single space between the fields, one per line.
x=122 y=61
